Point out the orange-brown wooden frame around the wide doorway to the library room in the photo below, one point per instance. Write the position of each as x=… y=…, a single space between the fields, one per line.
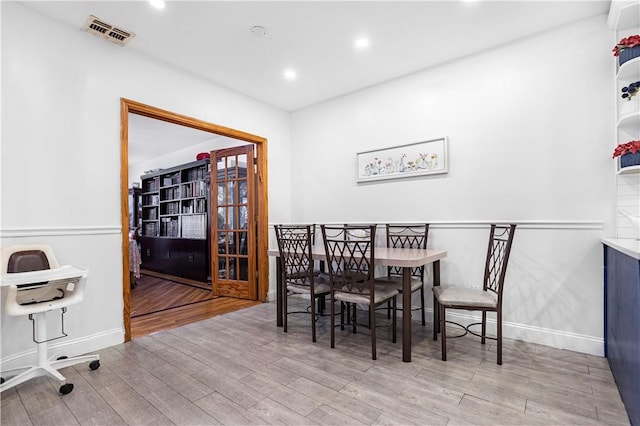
x=128 y=106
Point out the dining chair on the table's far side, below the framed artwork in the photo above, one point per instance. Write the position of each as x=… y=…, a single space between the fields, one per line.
x=408 y=236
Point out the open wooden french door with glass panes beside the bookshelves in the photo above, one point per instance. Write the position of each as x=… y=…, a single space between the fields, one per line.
x=233 y=232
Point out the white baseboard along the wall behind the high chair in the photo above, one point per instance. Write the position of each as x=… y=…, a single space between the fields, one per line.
x=70 y=347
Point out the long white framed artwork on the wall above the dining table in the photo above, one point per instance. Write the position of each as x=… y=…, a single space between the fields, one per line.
x=416 y=159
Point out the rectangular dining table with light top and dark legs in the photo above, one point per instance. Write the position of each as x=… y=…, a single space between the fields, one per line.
x=406 y=258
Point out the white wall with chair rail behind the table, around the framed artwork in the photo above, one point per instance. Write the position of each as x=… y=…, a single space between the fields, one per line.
x=530 y=138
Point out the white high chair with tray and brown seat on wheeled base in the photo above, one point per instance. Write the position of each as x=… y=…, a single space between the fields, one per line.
x=35 y=284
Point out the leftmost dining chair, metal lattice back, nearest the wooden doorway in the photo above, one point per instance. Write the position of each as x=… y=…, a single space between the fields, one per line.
x=297 y=265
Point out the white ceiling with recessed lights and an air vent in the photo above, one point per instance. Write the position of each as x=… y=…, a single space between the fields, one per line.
x=212 y=38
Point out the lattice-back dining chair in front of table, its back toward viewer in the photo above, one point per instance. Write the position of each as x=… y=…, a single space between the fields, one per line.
x=350 y=256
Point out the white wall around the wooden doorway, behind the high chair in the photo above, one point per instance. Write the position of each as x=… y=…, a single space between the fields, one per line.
x=61 y=91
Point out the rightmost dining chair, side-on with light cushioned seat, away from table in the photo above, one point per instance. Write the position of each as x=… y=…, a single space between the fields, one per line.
x=489 y=299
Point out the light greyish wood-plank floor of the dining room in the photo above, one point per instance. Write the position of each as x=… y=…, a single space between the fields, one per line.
x=240 y=369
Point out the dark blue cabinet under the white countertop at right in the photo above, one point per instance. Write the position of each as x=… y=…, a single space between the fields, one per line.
x=622 y=326
